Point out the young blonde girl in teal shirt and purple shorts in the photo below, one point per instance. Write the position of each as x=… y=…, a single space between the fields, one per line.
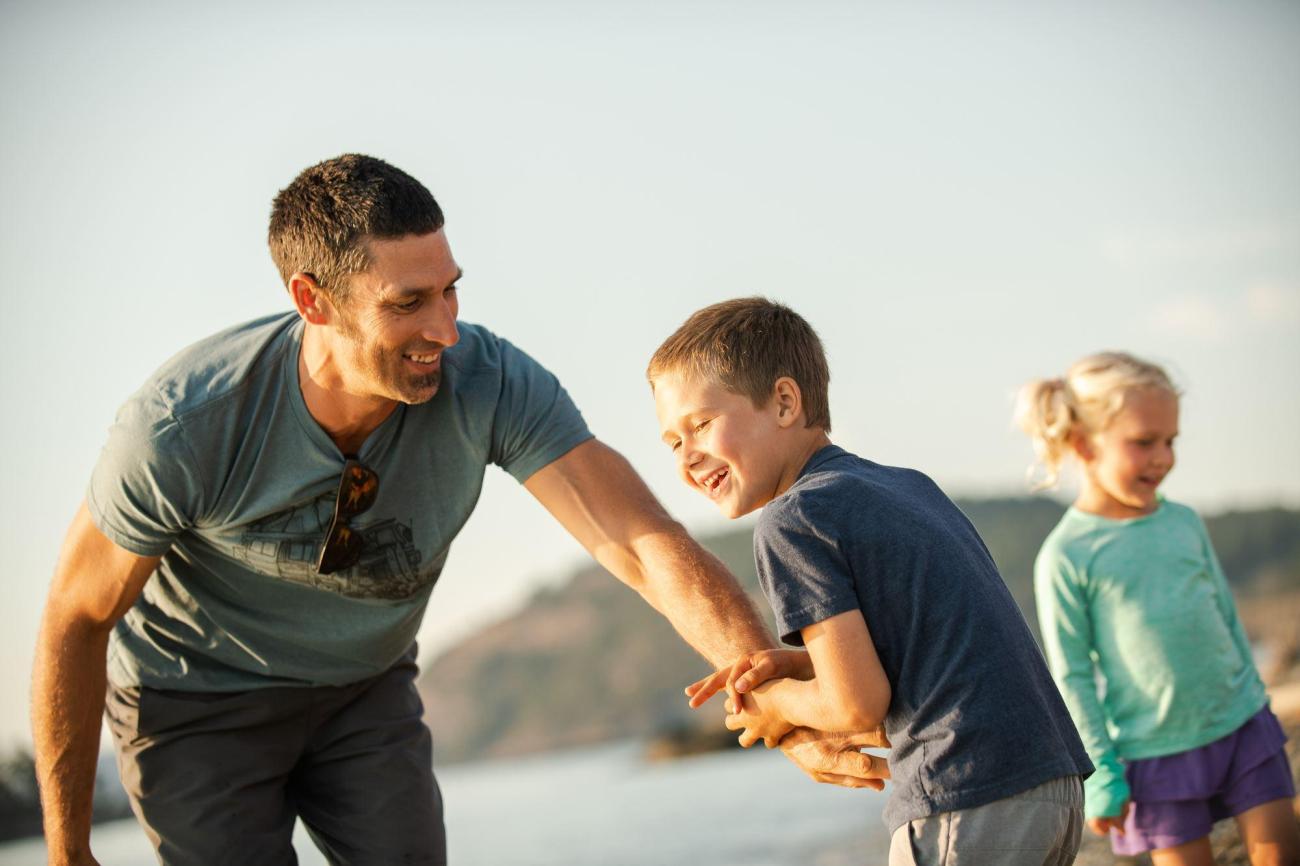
x=1129 y=588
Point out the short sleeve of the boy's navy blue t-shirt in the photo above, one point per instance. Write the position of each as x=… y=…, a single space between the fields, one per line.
x=801 y=568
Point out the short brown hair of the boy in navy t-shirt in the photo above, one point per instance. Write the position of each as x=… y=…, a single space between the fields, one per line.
x=746 y=345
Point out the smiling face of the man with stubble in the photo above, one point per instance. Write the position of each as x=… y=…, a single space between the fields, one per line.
x=398 y=318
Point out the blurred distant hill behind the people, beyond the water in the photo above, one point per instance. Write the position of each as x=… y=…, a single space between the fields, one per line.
x=590 y=661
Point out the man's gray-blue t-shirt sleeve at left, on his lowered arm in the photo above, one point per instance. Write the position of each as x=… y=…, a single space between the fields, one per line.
x=145 y=491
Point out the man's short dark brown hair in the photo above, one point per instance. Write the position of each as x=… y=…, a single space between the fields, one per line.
x=323 y=222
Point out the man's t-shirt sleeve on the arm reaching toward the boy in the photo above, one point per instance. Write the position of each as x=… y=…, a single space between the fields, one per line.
x=536 y=423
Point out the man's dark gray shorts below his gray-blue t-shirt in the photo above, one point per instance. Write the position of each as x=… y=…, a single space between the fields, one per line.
x=219 y=778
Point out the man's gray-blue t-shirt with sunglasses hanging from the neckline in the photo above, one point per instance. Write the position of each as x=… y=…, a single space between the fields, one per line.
x=218 y=466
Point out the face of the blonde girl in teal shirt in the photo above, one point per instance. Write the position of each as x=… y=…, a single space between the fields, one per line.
x=1125 y=464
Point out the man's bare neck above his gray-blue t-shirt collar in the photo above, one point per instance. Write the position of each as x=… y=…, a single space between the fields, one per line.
x=346 y=417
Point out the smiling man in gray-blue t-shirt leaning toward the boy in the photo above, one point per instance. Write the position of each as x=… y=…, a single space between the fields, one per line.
x=265 y=527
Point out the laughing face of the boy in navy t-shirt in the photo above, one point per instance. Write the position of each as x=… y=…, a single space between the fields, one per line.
x=726 y=448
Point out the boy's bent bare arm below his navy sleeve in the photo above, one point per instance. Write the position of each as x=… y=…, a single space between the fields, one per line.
x=850 y=691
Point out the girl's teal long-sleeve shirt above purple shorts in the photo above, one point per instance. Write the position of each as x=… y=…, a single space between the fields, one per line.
x=1143 y=640
